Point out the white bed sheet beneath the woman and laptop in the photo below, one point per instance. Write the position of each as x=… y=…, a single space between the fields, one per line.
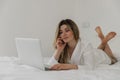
x=9 y=70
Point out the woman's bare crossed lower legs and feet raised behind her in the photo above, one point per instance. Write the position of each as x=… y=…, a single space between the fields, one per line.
x=104 y=46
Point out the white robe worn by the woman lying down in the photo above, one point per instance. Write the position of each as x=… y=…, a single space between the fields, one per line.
x=85 y=56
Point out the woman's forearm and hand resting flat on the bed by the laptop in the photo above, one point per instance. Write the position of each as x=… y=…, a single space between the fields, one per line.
x=64 y=66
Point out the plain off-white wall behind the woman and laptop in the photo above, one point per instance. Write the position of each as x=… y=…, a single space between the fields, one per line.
x=39 y=19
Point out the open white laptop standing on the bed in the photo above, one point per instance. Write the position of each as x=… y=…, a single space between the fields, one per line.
x=30 y=52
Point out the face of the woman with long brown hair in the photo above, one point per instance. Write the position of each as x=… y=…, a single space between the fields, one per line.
x=66 y=34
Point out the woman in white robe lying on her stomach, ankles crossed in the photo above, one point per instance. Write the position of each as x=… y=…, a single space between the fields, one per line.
x=72 y=52
